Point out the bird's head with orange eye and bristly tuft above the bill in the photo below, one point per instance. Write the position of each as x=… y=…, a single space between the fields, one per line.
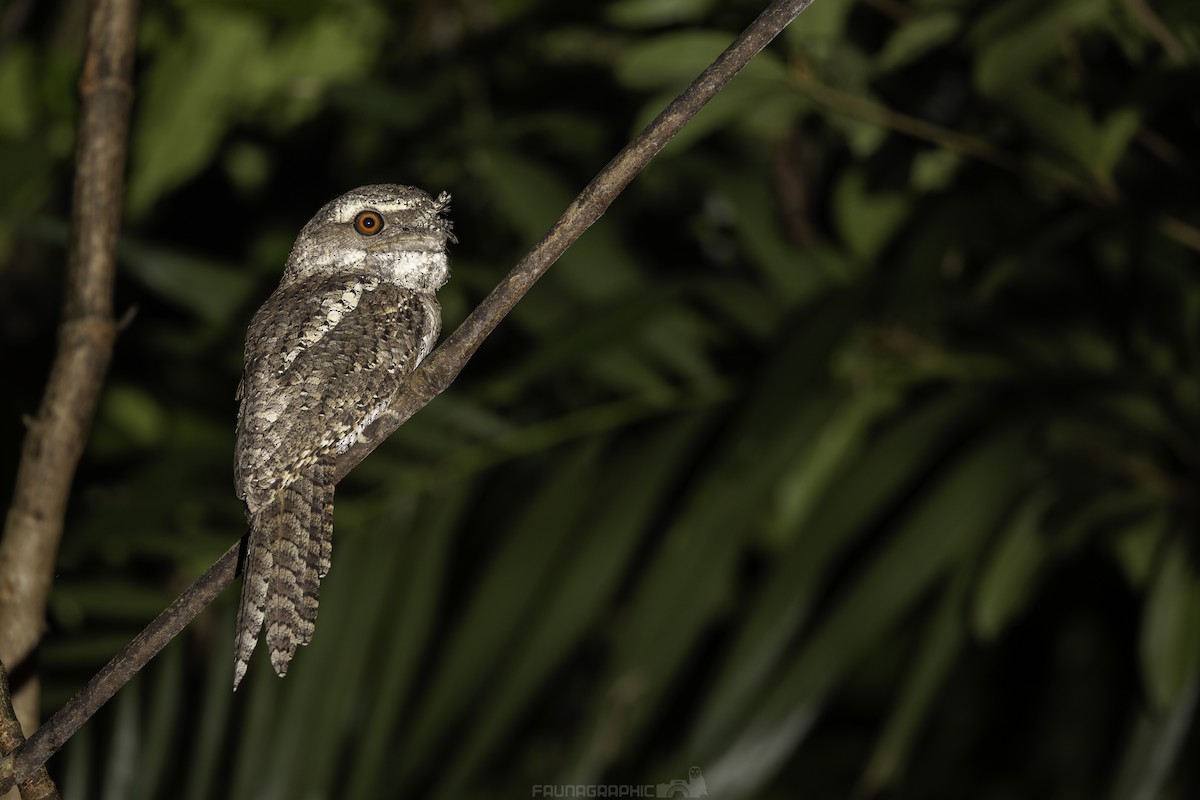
x=395 y=232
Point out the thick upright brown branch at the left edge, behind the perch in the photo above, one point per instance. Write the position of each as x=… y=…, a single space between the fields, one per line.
x=56 y=438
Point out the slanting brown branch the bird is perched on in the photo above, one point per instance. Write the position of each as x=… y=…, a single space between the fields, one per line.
x=436 y=374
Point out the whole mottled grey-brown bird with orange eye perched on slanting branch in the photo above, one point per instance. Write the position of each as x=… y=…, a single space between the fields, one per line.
x=353 y=316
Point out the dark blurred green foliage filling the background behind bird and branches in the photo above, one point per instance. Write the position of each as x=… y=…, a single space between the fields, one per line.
x=851 y=454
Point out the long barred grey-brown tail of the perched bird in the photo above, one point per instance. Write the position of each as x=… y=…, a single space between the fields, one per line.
x=287 y=555
